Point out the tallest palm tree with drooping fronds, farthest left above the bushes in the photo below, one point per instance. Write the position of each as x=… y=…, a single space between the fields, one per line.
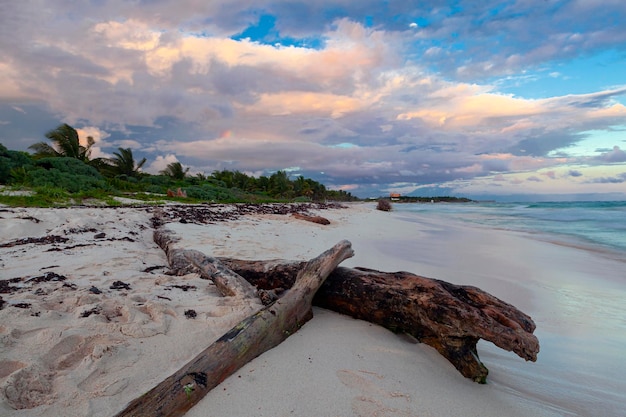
x=65 y=144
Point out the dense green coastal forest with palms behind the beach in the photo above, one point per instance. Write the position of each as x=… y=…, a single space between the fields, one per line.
x=61 y=170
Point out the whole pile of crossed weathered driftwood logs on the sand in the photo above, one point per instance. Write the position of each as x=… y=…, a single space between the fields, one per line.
x=448 y=317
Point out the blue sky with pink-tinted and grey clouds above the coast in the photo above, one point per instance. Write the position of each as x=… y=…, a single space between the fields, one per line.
x=467 y=98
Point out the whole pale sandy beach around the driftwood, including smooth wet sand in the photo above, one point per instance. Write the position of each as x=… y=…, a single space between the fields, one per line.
x=91 y=319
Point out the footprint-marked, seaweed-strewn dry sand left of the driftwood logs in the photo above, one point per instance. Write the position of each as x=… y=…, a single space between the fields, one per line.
x=71 y=365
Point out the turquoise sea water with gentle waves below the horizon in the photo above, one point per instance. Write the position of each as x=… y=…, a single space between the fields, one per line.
x=599 y=223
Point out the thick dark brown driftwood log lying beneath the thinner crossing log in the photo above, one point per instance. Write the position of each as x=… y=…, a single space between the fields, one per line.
x=451 y=318
